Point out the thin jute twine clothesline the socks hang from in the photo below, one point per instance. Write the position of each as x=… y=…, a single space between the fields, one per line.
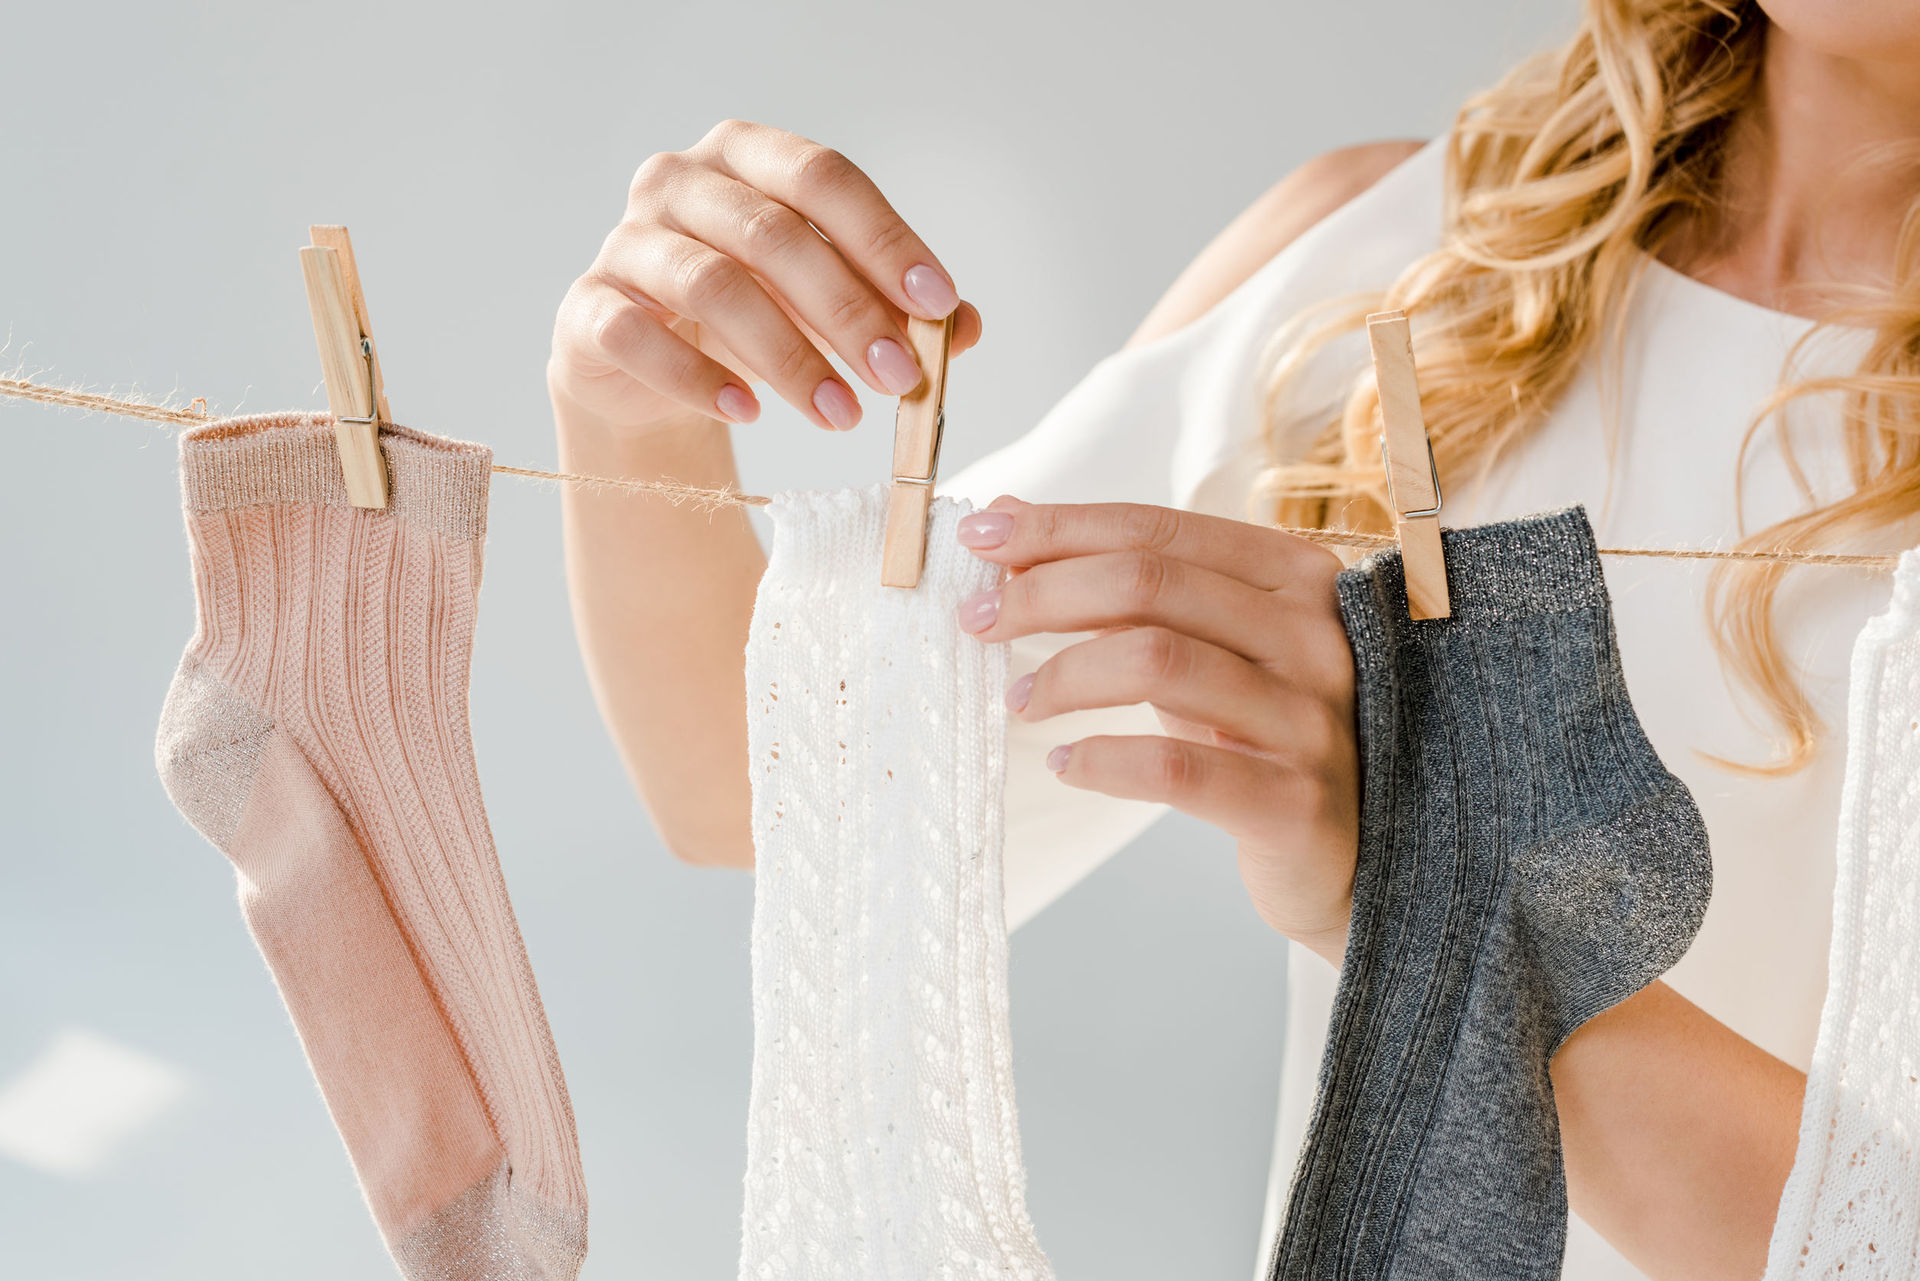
x=717 y=498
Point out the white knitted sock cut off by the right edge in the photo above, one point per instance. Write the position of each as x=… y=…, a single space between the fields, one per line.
x=1852 y=1205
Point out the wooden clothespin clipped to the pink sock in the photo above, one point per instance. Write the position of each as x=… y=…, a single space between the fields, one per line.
x=348 y=360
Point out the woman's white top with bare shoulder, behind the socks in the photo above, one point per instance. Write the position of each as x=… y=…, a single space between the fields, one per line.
x=1180 y=423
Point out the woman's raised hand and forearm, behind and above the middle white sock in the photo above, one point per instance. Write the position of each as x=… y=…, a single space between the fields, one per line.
x=715 y=279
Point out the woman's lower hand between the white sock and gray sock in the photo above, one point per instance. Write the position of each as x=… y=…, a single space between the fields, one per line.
x=1234 y=635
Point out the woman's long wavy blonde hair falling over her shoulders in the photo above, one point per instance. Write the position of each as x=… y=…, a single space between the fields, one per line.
x=1560 y=183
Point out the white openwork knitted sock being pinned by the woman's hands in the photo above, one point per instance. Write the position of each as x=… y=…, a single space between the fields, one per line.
x=880 y=1132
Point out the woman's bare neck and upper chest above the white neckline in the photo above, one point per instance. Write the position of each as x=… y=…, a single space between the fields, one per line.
x=1817 y=180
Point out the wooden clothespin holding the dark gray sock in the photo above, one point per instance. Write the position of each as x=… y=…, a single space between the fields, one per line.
x=1412 y=477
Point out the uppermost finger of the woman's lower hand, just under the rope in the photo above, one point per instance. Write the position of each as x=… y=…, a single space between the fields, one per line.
x=1013 y=533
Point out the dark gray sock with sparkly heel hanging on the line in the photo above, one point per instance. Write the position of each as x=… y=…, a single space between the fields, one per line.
x=1525 y=863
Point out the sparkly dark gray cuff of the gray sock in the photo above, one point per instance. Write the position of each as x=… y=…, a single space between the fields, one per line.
x=1497 y=573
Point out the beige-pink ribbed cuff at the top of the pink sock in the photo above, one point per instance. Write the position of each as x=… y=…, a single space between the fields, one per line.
x=291 y=458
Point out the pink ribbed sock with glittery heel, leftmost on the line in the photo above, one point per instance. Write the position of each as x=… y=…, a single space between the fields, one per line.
x=318 y=735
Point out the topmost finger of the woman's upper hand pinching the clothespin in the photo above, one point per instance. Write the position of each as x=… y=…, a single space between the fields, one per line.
x=836 y=197
